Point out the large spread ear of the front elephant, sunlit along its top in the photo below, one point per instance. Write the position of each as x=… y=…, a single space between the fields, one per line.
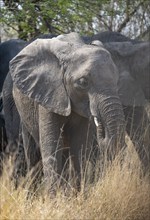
x=37 y=72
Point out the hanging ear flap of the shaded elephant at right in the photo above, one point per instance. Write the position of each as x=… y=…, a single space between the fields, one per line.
x=129 y=91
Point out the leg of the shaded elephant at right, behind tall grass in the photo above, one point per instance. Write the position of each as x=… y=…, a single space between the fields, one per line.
x=138 y=128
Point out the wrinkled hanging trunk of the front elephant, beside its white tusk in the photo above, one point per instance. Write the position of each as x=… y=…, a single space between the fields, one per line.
x=110 y=123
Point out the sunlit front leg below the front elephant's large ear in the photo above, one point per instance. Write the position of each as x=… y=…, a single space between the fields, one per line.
x=51 y=144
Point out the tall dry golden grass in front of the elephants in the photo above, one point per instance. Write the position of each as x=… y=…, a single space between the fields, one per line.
x=121 y=194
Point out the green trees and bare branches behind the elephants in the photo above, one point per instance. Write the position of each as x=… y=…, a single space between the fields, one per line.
x=32 y=17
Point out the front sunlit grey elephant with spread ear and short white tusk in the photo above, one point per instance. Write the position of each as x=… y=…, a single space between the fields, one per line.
x=60 y=84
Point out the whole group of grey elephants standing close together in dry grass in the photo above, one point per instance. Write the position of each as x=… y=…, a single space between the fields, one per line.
x=69 y=96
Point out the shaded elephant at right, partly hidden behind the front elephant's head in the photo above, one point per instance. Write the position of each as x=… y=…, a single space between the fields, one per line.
x=133 y=62
